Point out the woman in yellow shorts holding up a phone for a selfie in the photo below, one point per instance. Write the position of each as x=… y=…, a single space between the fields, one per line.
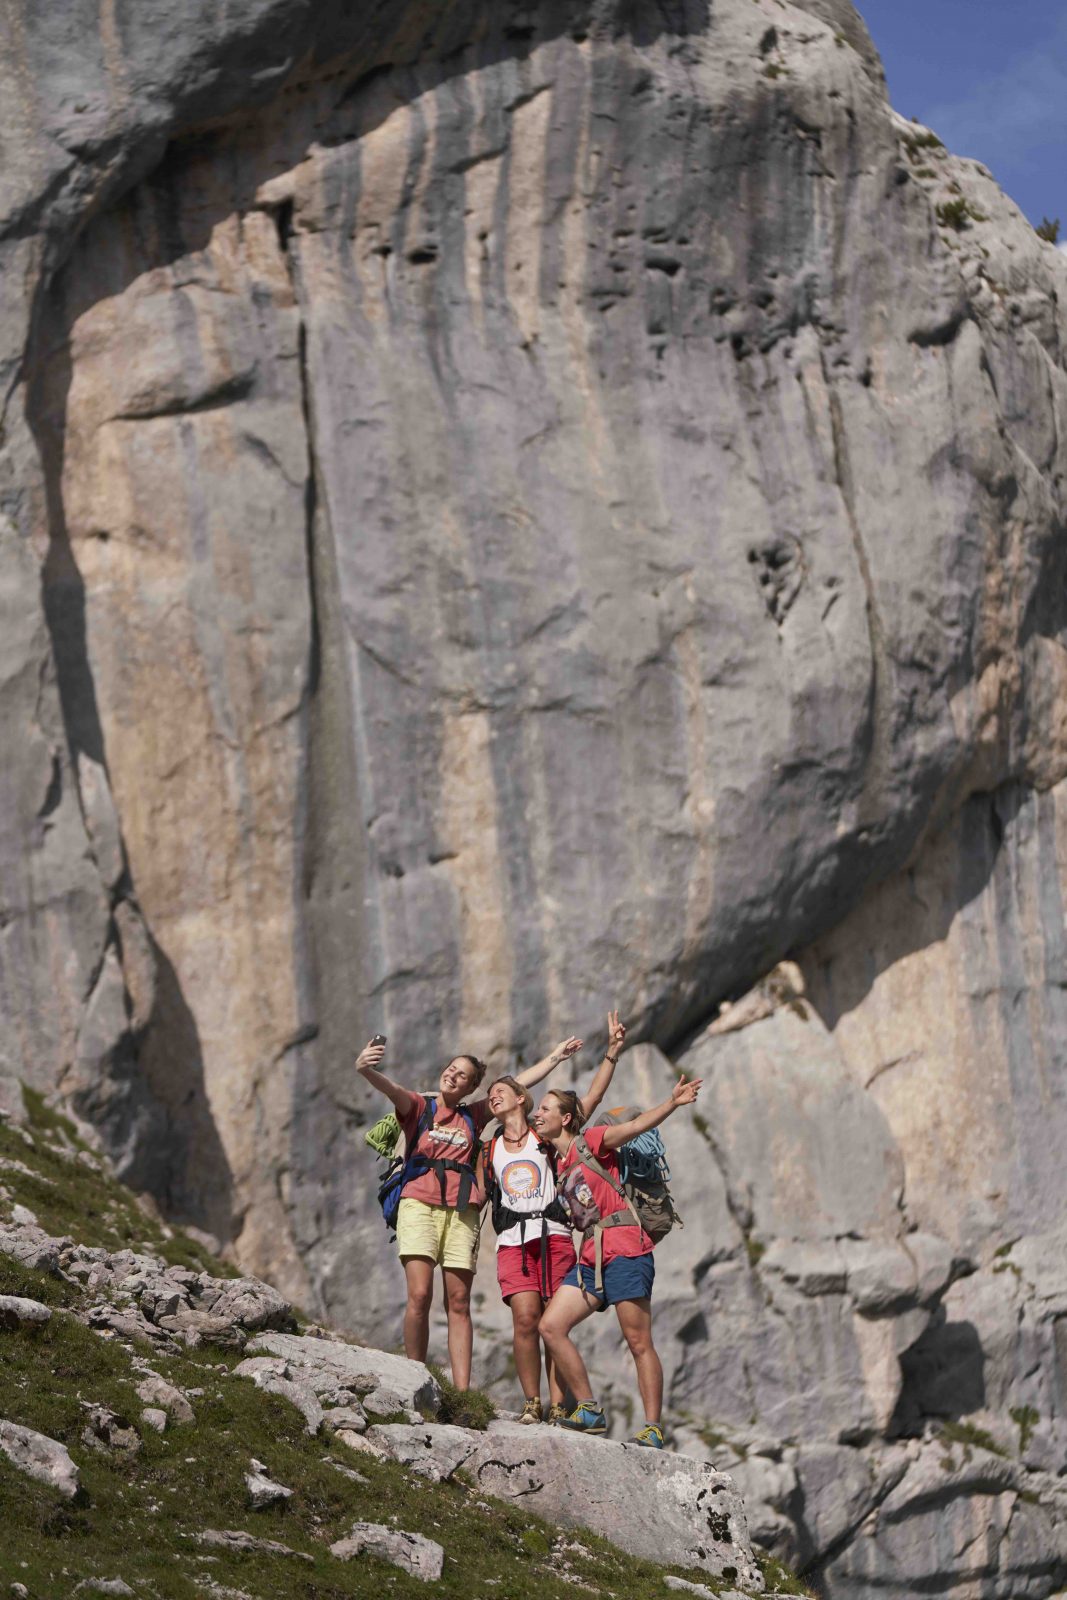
x=438 y=1222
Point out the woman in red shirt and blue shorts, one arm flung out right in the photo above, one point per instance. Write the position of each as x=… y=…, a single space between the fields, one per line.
x=617 y=1263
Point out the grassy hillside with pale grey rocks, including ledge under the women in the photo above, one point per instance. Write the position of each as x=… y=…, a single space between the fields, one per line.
x=162 y=1364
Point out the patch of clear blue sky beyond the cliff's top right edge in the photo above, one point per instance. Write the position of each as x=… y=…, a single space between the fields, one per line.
x=991 y=79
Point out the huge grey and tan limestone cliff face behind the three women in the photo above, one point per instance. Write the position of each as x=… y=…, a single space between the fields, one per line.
x=510 y=510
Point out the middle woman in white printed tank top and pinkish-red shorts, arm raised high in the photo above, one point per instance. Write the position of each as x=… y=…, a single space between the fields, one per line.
x=535 y=1247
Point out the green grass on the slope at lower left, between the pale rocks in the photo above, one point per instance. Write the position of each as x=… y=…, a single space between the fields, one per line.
x=140 y=1514
